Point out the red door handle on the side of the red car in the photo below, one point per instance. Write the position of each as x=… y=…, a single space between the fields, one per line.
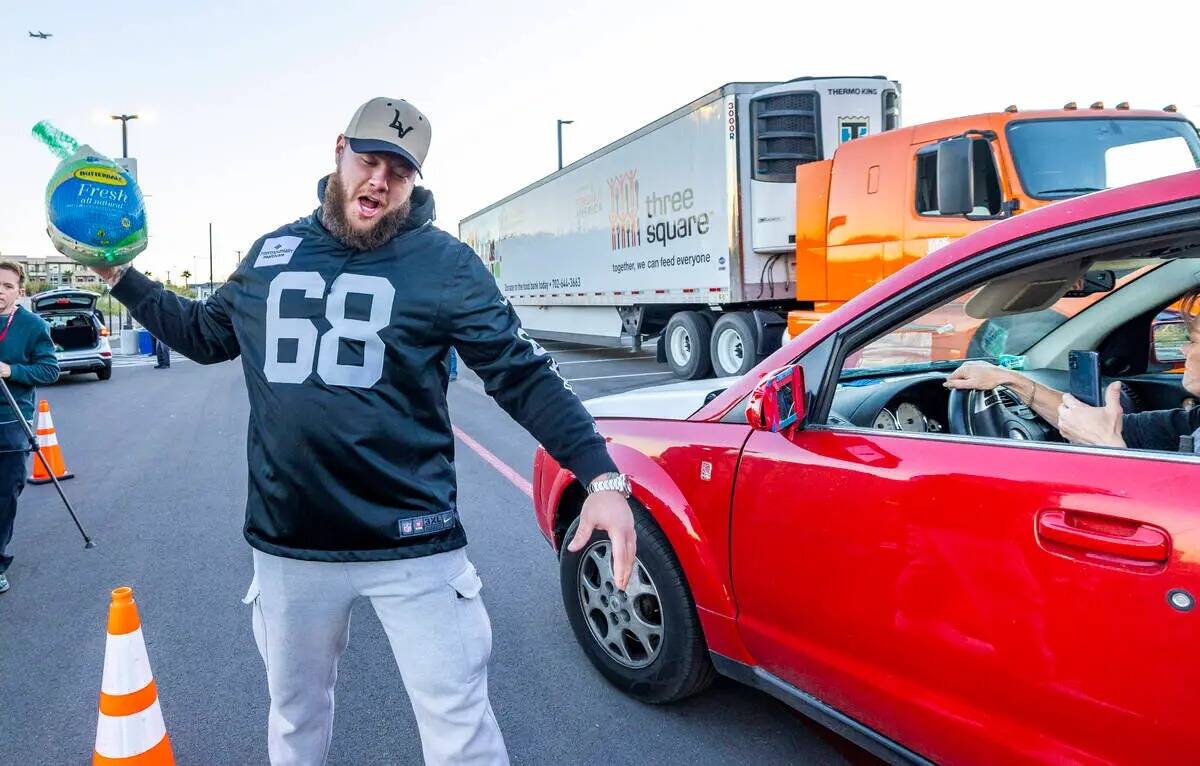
x=1105 y=535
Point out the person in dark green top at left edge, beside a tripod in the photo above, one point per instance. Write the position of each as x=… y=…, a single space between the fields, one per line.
x=27 y=360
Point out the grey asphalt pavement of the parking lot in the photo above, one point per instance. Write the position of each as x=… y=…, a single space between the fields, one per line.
x=160 y=466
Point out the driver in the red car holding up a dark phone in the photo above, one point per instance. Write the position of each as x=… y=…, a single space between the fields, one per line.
x=1108 y=426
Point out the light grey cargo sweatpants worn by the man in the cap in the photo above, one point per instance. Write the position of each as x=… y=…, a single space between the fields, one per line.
x=440 y=636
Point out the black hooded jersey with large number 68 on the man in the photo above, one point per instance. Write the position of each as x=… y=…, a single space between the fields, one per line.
x=350 y=447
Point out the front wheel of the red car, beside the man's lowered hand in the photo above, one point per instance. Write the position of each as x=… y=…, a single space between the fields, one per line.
x=646 y=642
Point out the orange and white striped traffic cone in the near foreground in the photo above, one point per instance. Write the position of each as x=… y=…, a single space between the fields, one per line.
x=130 y=731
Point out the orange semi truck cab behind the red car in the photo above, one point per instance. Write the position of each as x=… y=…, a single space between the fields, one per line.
x=890 y=199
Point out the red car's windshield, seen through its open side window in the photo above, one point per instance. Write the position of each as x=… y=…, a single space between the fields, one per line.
x=949 y=336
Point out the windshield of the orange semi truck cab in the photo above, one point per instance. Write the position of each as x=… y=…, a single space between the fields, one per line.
x=1067 y=158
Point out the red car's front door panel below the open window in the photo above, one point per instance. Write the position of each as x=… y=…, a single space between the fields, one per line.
x=977 y=602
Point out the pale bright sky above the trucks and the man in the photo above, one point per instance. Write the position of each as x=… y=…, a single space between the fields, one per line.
x=241 y=104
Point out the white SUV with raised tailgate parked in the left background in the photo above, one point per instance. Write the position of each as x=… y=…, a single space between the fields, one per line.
x=77 y=328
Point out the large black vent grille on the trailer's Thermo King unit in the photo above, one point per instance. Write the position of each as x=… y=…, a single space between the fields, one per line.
x=785 y=135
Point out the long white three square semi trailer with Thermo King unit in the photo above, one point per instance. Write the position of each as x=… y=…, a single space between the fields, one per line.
x=685 y=230
